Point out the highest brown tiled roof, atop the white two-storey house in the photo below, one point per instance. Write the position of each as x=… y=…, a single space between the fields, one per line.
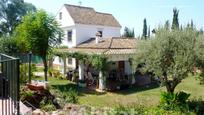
x=88 y=16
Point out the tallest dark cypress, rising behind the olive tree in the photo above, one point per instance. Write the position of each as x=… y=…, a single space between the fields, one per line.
x=175 y=22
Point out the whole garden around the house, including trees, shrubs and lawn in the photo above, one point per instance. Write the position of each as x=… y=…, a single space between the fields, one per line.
x=173 y=55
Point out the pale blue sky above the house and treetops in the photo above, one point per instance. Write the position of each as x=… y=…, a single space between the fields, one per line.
x=131 y=13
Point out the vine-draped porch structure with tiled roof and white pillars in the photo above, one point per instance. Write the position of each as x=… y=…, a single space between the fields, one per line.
x=99 y=54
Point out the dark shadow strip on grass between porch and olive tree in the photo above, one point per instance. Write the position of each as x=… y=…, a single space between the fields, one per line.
x=135 y=89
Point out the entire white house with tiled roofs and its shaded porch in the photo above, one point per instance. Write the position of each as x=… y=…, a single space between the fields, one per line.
x=93 y=33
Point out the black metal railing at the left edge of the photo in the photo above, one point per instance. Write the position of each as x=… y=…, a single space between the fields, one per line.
x=9 y=85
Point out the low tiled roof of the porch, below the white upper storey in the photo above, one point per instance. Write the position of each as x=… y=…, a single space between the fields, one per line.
x=107 y=46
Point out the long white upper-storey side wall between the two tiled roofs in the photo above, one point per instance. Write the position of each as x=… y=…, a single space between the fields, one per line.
x=85 y=32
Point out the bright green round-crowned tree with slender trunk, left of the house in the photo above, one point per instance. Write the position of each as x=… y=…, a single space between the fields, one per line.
x=39 y=32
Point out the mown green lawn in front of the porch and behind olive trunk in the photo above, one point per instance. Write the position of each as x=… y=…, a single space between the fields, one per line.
x=147 y=96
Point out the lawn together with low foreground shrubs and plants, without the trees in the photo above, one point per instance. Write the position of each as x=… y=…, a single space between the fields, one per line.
x=142 y=100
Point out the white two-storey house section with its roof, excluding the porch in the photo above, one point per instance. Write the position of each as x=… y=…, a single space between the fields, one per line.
x=82 y=23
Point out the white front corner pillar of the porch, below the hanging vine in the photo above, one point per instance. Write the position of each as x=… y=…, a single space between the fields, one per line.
x=102 y=81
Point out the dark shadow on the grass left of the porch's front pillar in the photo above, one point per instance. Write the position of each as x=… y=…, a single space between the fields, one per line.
x=81 y=91
